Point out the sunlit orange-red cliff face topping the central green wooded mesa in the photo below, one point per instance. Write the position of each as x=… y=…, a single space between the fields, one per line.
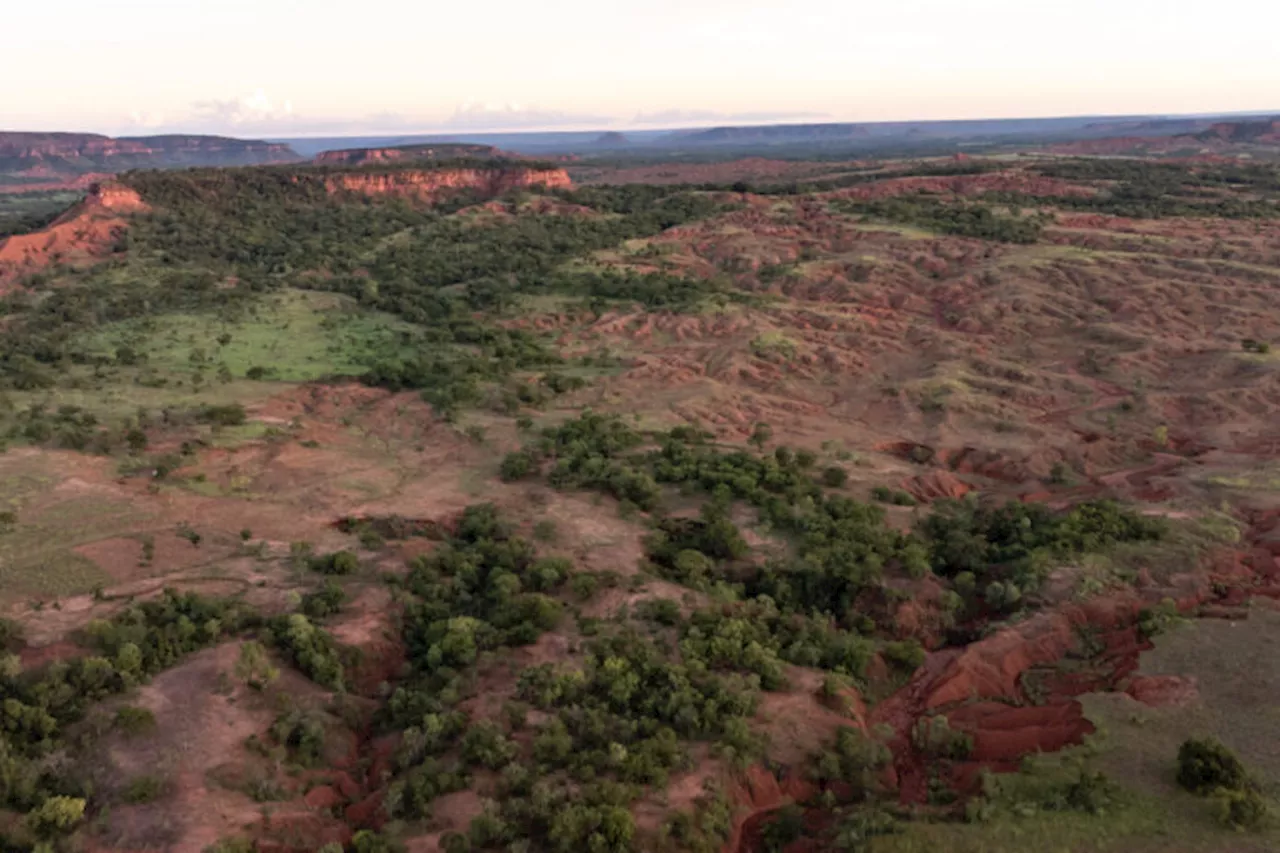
x=435 y=185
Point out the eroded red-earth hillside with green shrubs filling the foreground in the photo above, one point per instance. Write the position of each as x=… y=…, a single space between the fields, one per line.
x=790 y=512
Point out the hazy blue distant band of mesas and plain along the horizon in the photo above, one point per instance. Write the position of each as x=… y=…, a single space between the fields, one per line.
x=74 y=161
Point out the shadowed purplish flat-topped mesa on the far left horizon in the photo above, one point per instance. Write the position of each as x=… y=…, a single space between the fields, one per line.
x=52 y=156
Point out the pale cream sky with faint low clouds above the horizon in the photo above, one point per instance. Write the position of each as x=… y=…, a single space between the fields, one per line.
x=328 y=67
